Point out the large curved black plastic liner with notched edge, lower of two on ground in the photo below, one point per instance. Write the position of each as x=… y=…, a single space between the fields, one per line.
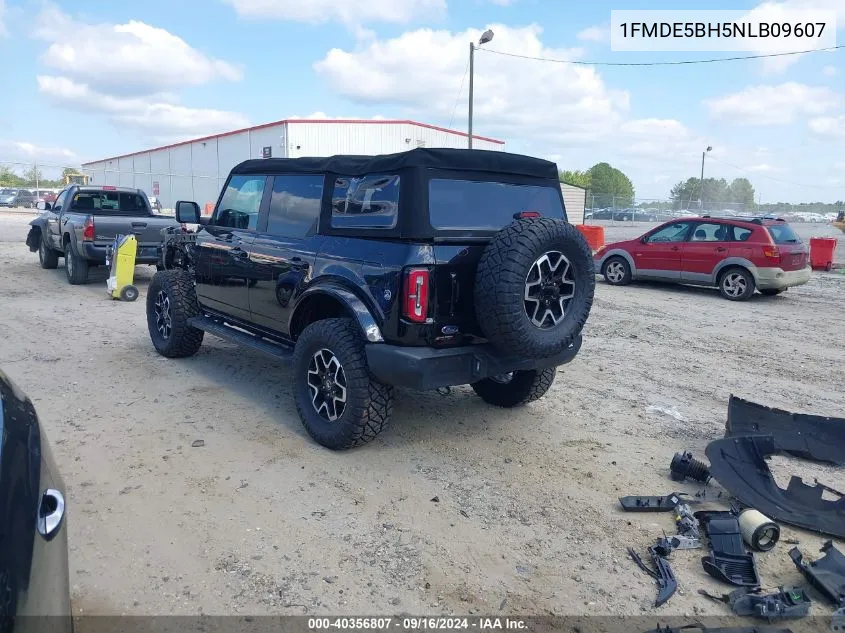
x=739 y=465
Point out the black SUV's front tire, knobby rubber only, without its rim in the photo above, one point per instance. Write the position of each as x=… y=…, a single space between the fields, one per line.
x=178 y=287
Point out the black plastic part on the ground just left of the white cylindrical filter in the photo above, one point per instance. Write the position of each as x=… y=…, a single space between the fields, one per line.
x=728 y=560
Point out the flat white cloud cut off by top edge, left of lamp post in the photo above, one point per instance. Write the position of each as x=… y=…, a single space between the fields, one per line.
x=345 y=11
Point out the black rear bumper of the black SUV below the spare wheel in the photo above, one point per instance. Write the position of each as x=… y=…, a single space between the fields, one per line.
x=426 y=368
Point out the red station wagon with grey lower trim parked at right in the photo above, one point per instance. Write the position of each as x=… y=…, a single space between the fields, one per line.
x=736 y=255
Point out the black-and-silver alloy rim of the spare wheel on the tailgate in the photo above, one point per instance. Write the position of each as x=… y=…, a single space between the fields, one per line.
x=549 y=287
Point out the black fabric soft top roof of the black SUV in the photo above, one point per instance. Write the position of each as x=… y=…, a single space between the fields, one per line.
x=477 y=160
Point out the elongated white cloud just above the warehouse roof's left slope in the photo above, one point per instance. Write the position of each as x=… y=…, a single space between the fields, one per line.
x=159 y=114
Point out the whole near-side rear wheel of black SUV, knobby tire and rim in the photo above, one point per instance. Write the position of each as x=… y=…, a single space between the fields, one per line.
x=339 y=402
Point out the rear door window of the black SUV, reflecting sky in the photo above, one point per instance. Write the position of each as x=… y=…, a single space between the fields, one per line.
x=295 y=205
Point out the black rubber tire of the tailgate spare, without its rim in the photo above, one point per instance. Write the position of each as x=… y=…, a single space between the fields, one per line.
x=500 y=286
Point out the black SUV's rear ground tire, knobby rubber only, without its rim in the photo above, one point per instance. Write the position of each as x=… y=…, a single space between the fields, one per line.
x=369 y=403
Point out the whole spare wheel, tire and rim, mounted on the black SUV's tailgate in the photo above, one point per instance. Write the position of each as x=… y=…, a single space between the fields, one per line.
x=534 y=287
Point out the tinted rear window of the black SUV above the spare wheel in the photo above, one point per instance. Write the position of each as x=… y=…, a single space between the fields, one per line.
x=485 y=205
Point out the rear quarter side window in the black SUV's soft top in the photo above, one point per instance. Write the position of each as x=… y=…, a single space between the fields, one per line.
x=370 y=202
